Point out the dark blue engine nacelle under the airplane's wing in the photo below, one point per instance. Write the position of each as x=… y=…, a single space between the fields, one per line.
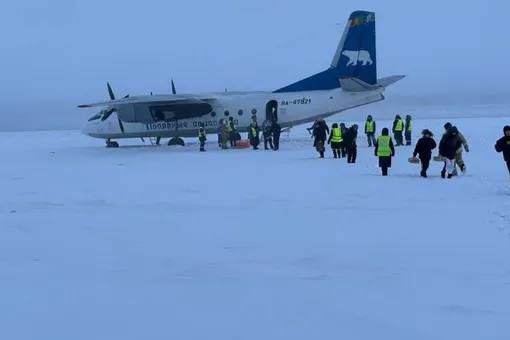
x=148 y=113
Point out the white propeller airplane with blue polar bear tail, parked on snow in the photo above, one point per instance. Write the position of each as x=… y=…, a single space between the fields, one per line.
x=350 y=81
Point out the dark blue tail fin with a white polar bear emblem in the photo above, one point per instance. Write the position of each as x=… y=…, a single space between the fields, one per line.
x=355 y=57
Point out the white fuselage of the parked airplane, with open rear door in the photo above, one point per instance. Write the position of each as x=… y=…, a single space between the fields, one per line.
x=293 y=108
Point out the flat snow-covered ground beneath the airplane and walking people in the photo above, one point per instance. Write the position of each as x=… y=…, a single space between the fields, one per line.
x=170 y=243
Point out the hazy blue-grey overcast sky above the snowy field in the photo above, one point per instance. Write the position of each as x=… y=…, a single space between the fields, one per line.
x=58 y=53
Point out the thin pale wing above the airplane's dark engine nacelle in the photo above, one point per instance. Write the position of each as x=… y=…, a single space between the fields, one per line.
x=168 y=99
